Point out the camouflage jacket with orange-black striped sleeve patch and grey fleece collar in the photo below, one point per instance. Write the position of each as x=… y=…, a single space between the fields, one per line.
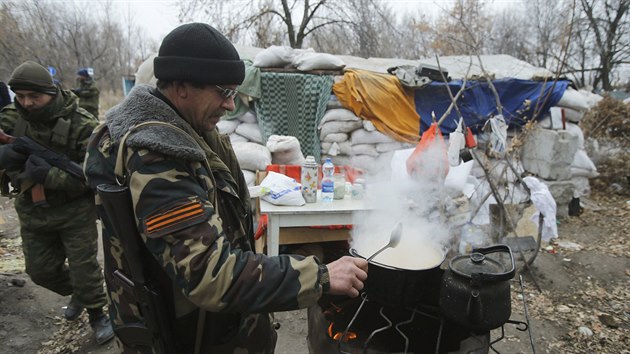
x=193 y=213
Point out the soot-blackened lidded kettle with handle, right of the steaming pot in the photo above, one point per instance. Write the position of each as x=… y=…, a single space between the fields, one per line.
x=475 y=290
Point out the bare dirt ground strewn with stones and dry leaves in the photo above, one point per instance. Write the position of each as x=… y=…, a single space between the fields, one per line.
x=583 y=305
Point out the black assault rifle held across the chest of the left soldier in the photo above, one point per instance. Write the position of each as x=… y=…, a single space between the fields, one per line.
x=31 y=147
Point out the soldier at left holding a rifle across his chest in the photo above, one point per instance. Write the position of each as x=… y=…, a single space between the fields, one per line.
x=64 y=228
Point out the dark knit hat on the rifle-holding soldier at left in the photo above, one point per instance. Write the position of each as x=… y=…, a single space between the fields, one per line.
x=31 y=76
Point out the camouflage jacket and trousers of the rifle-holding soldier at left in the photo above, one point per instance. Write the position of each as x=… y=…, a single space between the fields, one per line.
x=66 y=229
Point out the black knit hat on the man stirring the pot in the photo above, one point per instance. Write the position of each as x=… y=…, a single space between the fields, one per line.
x=196 y=52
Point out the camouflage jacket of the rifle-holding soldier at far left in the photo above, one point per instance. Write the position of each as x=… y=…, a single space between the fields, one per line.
x=61 y=126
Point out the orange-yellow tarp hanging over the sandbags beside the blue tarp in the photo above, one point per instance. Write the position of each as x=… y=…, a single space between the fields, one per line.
x=381 y=99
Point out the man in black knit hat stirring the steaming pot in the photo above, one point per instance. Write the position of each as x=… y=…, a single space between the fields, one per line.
x=192 y=207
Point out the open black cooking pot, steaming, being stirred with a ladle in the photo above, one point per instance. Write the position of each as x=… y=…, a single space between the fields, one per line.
x=396 y=286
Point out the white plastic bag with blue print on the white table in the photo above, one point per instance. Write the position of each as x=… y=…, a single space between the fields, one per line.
x=279 y=189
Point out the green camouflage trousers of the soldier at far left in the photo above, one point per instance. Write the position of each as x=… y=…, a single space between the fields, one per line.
x=50 y=236
